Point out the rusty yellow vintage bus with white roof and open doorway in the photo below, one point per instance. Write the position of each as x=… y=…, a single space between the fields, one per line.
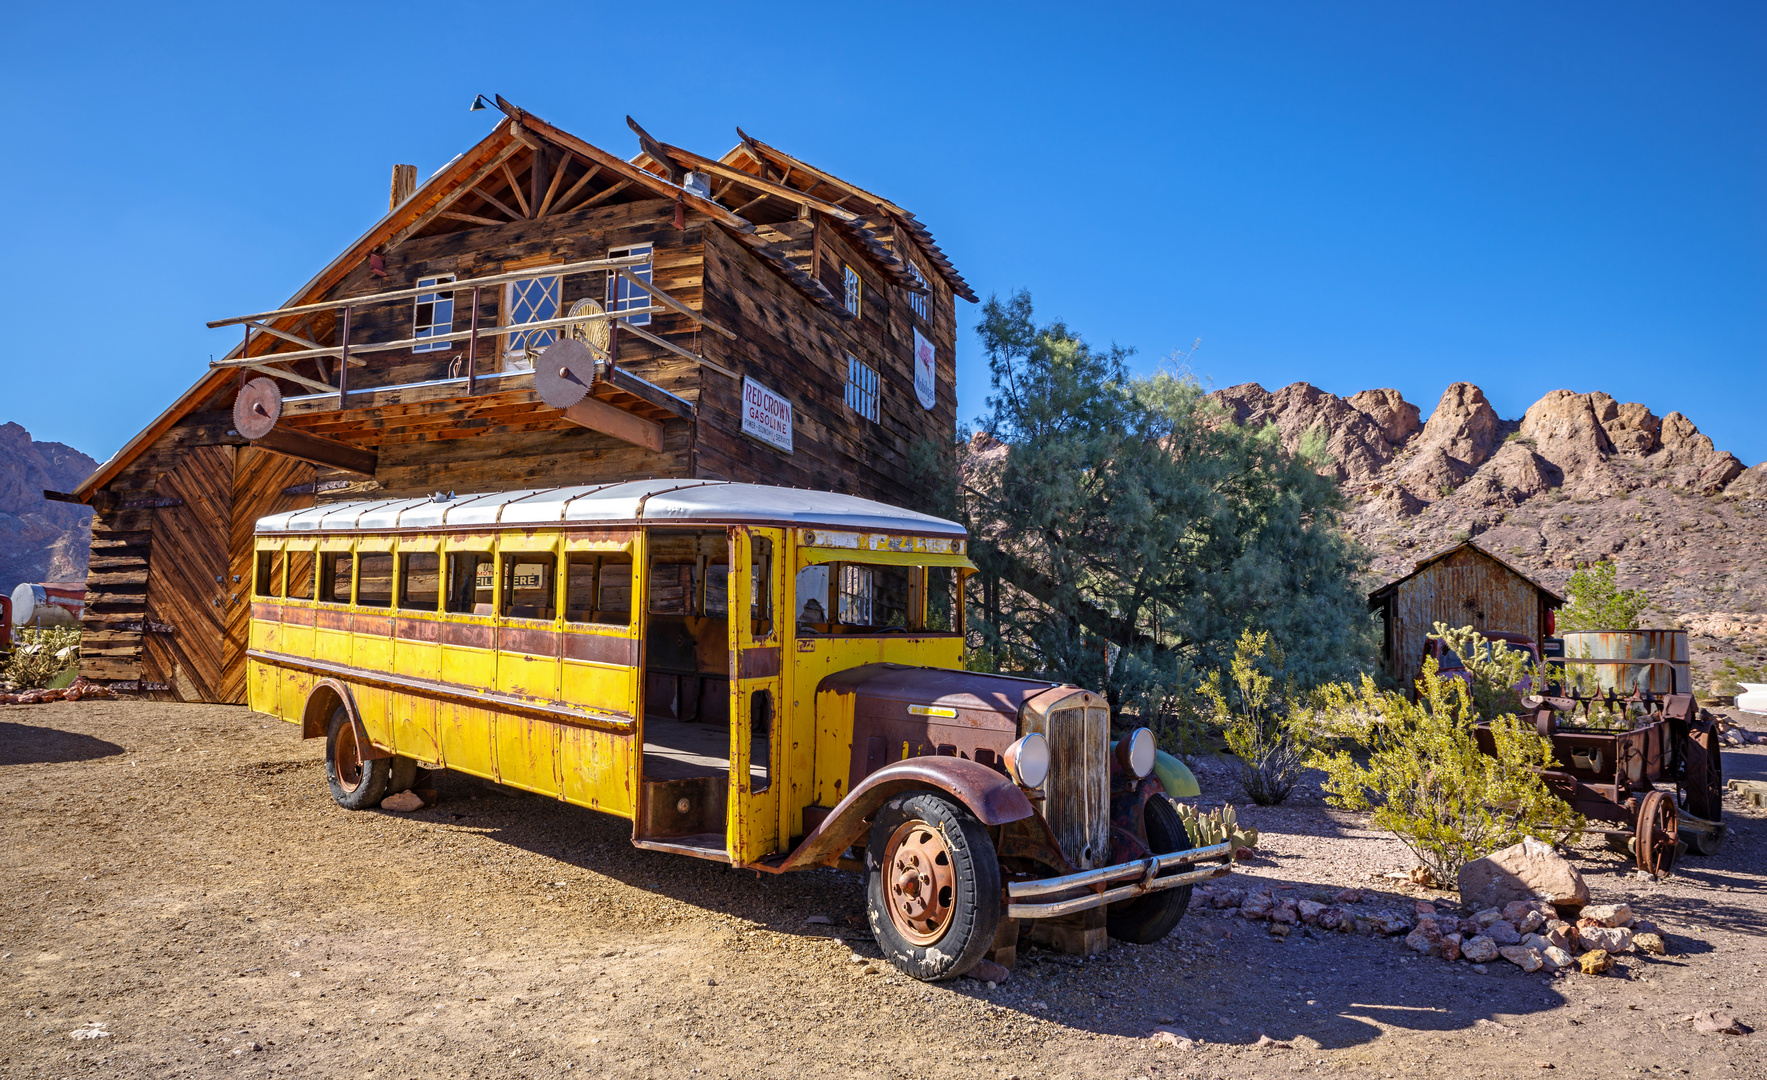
x=761 y=676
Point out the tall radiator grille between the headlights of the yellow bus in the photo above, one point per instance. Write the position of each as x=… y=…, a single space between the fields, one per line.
x=1077 y=793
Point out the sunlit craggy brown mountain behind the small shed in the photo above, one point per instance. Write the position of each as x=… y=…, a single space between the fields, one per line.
x=1579 y=478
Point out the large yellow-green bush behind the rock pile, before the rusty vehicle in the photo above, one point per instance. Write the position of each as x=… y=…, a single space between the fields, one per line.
x=1425 y=779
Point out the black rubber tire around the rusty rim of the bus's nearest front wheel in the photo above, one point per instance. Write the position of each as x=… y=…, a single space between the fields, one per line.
x=975 y=901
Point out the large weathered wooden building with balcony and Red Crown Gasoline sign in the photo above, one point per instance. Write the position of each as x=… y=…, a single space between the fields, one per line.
x=748 y=317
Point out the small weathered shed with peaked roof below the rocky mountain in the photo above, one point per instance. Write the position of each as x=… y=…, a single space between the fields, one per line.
x=1464 y=586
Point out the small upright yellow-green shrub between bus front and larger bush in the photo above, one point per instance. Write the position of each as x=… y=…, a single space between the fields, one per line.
x=1257 y=724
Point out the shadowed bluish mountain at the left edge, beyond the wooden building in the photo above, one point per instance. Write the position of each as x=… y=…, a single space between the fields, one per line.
x=42 y=540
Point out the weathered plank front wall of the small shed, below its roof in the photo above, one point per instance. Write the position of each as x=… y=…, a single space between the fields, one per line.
x=1462 y=589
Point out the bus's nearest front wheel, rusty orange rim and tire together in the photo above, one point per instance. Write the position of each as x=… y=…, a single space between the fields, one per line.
x=932 y=886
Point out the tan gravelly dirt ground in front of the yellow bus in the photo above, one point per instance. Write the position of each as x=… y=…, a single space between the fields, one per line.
x=179 y=879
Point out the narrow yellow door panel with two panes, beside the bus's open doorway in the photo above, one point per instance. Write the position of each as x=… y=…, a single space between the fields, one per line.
x=757 y=692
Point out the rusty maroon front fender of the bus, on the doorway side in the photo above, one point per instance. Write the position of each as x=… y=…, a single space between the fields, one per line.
x=990 y=796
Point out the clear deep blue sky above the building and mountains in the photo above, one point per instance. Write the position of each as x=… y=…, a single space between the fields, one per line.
x=1360 y=195
